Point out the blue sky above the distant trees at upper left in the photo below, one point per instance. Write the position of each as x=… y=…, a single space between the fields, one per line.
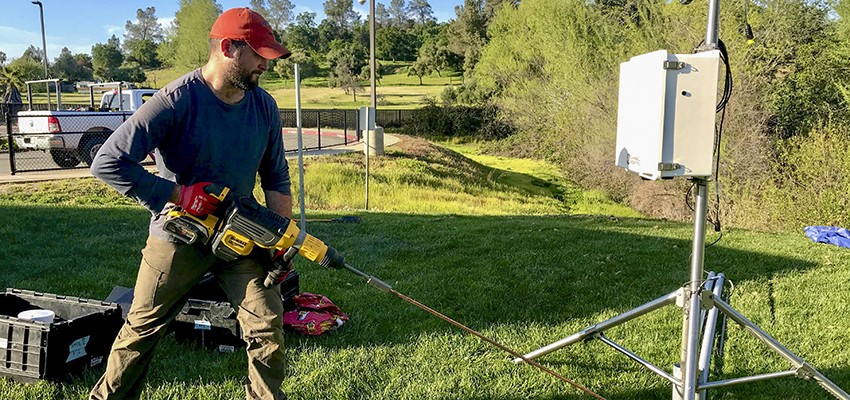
x=78 y=24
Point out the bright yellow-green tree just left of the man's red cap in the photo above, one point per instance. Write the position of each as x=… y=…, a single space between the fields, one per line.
x=194 y=21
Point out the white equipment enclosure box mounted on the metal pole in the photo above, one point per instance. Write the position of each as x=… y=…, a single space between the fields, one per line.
x=666 y=115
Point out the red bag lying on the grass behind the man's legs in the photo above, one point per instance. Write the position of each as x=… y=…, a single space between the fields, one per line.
x=314 y=315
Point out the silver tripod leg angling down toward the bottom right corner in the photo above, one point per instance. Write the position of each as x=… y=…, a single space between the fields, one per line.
x=803 y=369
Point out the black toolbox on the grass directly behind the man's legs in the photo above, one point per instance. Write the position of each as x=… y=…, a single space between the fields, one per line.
x=208 y=318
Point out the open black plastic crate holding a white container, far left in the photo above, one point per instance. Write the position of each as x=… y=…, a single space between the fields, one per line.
x=80 y=336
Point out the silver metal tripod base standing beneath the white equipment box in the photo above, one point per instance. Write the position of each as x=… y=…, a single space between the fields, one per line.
x=700 y=302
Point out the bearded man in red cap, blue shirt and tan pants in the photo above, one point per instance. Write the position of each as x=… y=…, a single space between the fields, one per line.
x=210 y=126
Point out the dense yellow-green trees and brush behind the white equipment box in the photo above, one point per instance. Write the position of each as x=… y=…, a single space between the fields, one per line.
x=551 y=69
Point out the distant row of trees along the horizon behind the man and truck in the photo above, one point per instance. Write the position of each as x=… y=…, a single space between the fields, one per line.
x=406 y=30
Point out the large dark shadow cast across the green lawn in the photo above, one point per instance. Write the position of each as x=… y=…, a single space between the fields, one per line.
x=518 y=272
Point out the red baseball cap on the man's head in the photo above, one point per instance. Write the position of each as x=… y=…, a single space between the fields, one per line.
x=246 y=25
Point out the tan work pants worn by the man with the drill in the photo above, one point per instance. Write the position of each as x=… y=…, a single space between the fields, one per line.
x=167 y=272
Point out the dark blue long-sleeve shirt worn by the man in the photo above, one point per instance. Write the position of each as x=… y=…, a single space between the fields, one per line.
x=195 y=137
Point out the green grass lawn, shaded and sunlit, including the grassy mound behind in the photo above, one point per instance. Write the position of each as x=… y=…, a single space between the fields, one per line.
x=505 y=251
